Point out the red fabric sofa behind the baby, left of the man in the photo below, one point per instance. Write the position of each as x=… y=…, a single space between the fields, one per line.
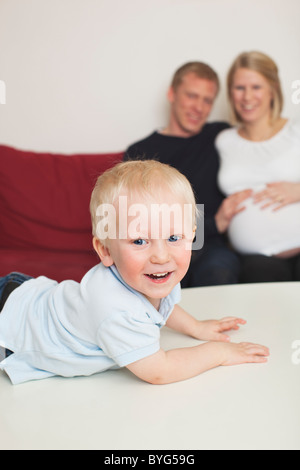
x=45 y=226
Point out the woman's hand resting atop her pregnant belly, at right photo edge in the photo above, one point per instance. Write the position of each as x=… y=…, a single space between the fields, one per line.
x=278 y=194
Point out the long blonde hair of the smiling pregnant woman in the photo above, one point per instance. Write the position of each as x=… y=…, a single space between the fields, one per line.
x=264 y=65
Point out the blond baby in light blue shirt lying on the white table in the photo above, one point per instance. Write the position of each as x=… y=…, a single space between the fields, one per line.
x=144 y=220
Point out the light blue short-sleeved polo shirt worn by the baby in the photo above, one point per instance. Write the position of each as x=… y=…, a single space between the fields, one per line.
x=72 y=329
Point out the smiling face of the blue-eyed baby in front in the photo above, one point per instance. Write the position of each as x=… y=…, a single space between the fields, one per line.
x=152 y=249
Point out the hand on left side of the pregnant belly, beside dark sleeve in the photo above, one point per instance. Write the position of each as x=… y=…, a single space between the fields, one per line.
x=229 y=208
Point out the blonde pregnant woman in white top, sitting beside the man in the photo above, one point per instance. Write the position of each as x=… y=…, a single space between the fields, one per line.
x=262 y=153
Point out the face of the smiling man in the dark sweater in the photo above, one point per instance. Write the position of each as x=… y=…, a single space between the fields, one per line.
x=191 y=104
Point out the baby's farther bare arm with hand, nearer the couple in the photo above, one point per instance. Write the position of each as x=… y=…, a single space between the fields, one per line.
x=210 y=330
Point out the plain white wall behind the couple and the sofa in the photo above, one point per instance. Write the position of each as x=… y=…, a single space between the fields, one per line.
x=92 y=75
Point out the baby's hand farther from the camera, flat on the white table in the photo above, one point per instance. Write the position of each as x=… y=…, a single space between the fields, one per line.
x=212 y=330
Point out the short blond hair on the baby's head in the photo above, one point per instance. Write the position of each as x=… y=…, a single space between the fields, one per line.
x=144 y=177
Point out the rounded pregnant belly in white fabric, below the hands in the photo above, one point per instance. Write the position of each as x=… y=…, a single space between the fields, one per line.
x=263 y=231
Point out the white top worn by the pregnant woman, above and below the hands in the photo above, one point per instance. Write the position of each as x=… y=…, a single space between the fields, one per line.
x=251 y=165
